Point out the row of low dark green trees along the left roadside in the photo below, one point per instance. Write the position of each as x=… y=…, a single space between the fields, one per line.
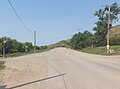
x=13 y=46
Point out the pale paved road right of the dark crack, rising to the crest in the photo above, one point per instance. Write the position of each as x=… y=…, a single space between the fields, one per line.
x=84 y=71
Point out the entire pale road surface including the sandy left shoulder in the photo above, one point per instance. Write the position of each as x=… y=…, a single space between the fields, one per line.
x=83 y=71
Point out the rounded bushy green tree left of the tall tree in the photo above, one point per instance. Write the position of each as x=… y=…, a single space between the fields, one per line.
x=81 y=40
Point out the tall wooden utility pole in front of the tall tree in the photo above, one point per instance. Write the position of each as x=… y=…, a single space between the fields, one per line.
x=108 y=31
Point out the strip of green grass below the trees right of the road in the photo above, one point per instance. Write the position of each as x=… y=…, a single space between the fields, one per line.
x=102 y=50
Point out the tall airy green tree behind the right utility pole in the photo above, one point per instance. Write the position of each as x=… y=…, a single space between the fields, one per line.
x=101 y=25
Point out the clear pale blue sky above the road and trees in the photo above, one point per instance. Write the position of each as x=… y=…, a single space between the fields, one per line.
x=53 y=20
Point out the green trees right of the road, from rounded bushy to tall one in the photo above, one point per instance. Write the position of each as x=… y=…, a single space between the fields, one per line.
x=98 y=38
